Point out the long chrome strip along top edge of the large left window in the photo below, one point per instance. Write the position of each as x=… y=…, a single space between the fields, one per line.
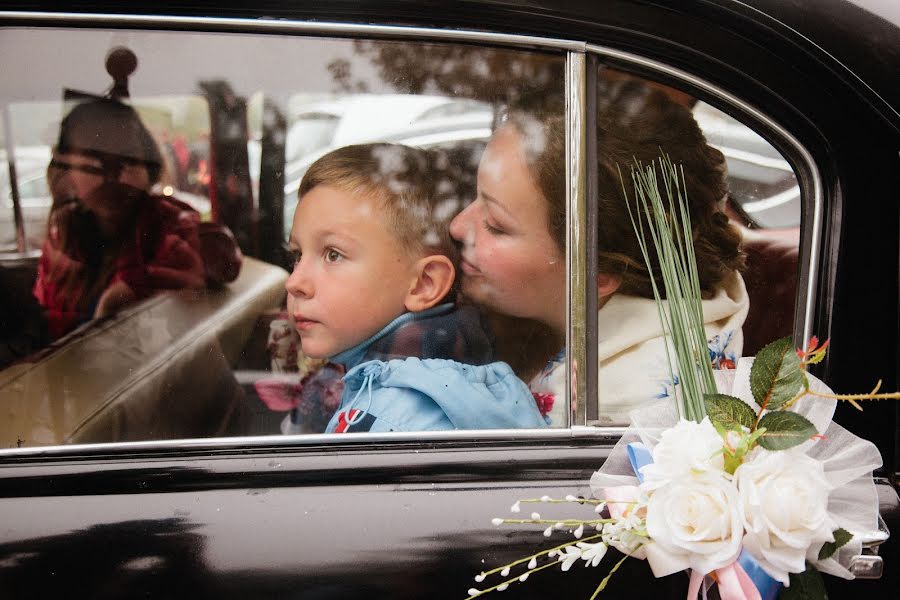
x=288 y=26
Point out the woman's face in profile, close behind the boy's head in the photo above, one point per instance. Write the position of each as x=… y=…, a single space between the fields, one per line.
x=510 y=262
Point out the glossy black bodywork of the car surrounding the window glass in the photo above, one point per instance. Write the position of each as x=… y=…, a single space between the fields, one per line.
x=409 y=515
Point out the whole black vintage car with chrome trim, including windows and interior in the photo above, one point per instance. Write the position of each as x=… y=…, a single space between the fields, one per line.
x=136 y=459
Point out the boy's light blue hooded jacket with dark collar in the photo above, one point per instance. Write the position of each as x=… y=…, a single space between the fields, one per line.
x=429 y=394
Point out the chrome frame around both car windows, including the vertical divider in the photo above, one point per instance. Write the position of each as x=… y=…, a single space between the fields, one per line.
x=579 y=79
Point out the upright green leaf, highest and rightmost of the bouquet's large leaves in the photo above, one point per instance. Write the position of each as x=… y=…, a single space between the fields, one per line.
x=776 y=375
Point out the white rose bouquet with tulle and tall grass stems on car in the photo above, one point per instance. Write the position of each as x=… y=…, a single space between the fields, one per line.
x=744 y=480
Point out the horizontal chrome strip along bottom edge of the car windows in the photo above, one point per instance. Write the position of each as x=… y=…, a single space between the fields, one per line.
x=412 y=438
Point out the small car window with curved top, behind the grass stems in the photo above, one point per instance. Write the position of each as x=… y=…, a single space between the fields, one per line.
x=745 y=207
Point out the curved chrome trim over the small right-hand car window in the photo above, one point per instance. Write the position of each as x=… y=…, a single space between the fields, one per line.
x=814 y=229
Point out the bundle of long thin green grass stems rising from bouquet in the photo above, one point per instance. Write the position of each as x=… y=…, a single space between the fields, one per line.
x=681 y=314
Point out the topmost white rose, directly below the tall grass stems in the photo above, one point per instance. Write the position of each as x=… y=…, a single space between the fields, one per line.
x=685 y=450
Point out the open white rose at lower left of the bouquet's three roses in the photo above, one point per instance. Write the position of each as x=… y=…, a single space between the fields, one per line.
x=696 y=521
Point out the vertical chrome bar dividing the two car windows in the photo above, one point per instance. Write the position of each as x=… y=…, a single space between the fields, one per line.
x=576 y=244
